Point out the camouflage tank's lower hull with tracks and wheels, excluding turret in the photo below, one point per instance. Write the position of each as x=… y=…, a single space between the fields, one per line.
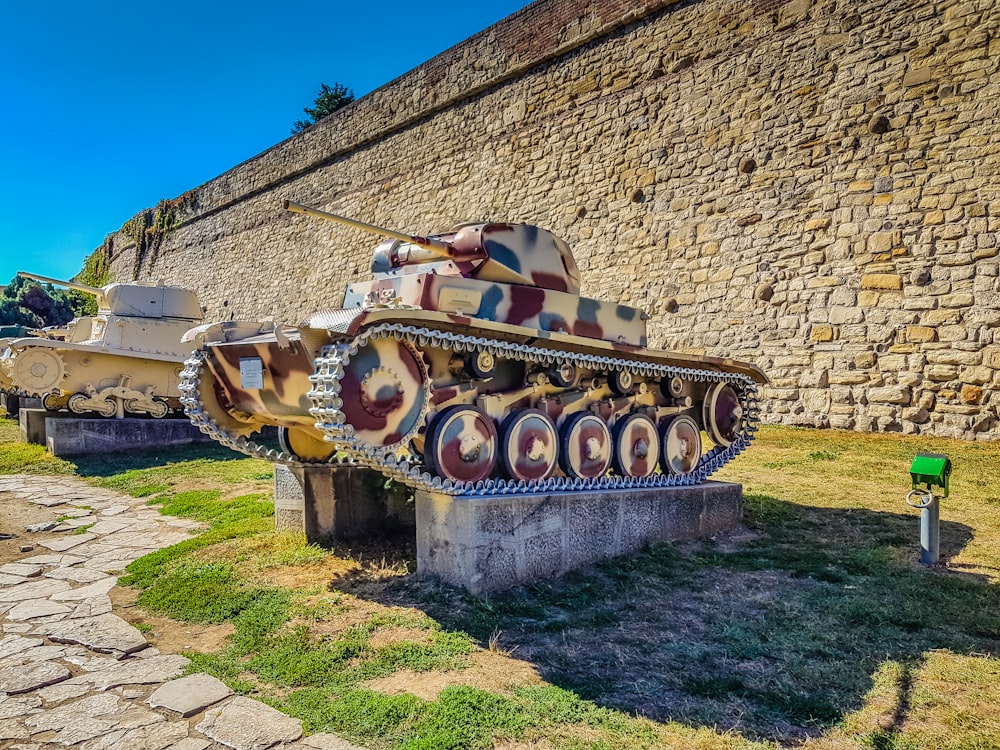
x=456 y=404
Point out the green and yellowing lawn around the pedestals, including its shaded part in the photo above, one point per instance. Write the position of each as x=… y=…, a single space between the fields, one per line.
x=813 y=626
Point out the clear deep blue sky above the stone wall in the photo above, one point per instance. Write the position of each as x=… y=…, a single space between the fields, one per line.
x=110 y=106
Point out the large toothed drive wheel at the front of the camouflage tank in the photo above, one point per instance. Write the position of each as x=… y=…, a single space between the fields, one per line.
x=385 y=392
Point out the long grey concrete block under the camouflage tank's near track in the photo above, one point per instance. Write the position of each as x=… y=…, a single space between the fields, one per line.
x=488 y=544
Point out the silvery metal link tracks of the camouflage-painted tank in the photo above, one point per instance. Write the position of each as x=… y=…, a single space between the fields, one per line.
x=399 y=464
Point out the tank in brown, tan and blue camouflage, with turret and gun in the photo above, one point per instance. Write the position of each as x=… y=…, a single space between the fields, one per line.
x=470 y=363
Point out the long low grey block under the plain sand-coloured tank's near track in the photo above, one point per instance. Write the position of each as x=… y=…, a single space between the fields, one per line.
x=70 y=436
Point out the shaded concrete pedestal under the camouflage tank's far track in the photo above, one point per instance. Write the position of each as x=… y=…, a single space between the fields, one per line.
x=329 y=504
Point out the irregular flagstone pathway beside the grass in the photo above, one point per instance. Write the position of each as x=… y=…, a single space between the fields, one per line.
x=73 y=674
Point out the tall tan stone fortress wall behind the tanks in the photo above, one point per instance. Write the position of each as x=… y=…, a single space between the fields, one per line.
x=813 y=186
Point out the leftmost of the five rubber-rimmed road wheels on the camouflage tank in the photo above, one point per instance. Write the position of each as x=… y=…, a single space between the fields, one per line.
x=461 y=444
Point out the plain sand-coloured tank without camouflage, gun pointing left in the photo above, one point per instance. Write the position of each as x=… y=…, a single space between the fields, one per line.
x=126 y=359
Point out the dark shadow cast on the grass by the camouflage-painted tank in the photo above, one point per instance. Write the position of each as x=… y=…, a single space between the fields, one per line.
x=777 y=636
